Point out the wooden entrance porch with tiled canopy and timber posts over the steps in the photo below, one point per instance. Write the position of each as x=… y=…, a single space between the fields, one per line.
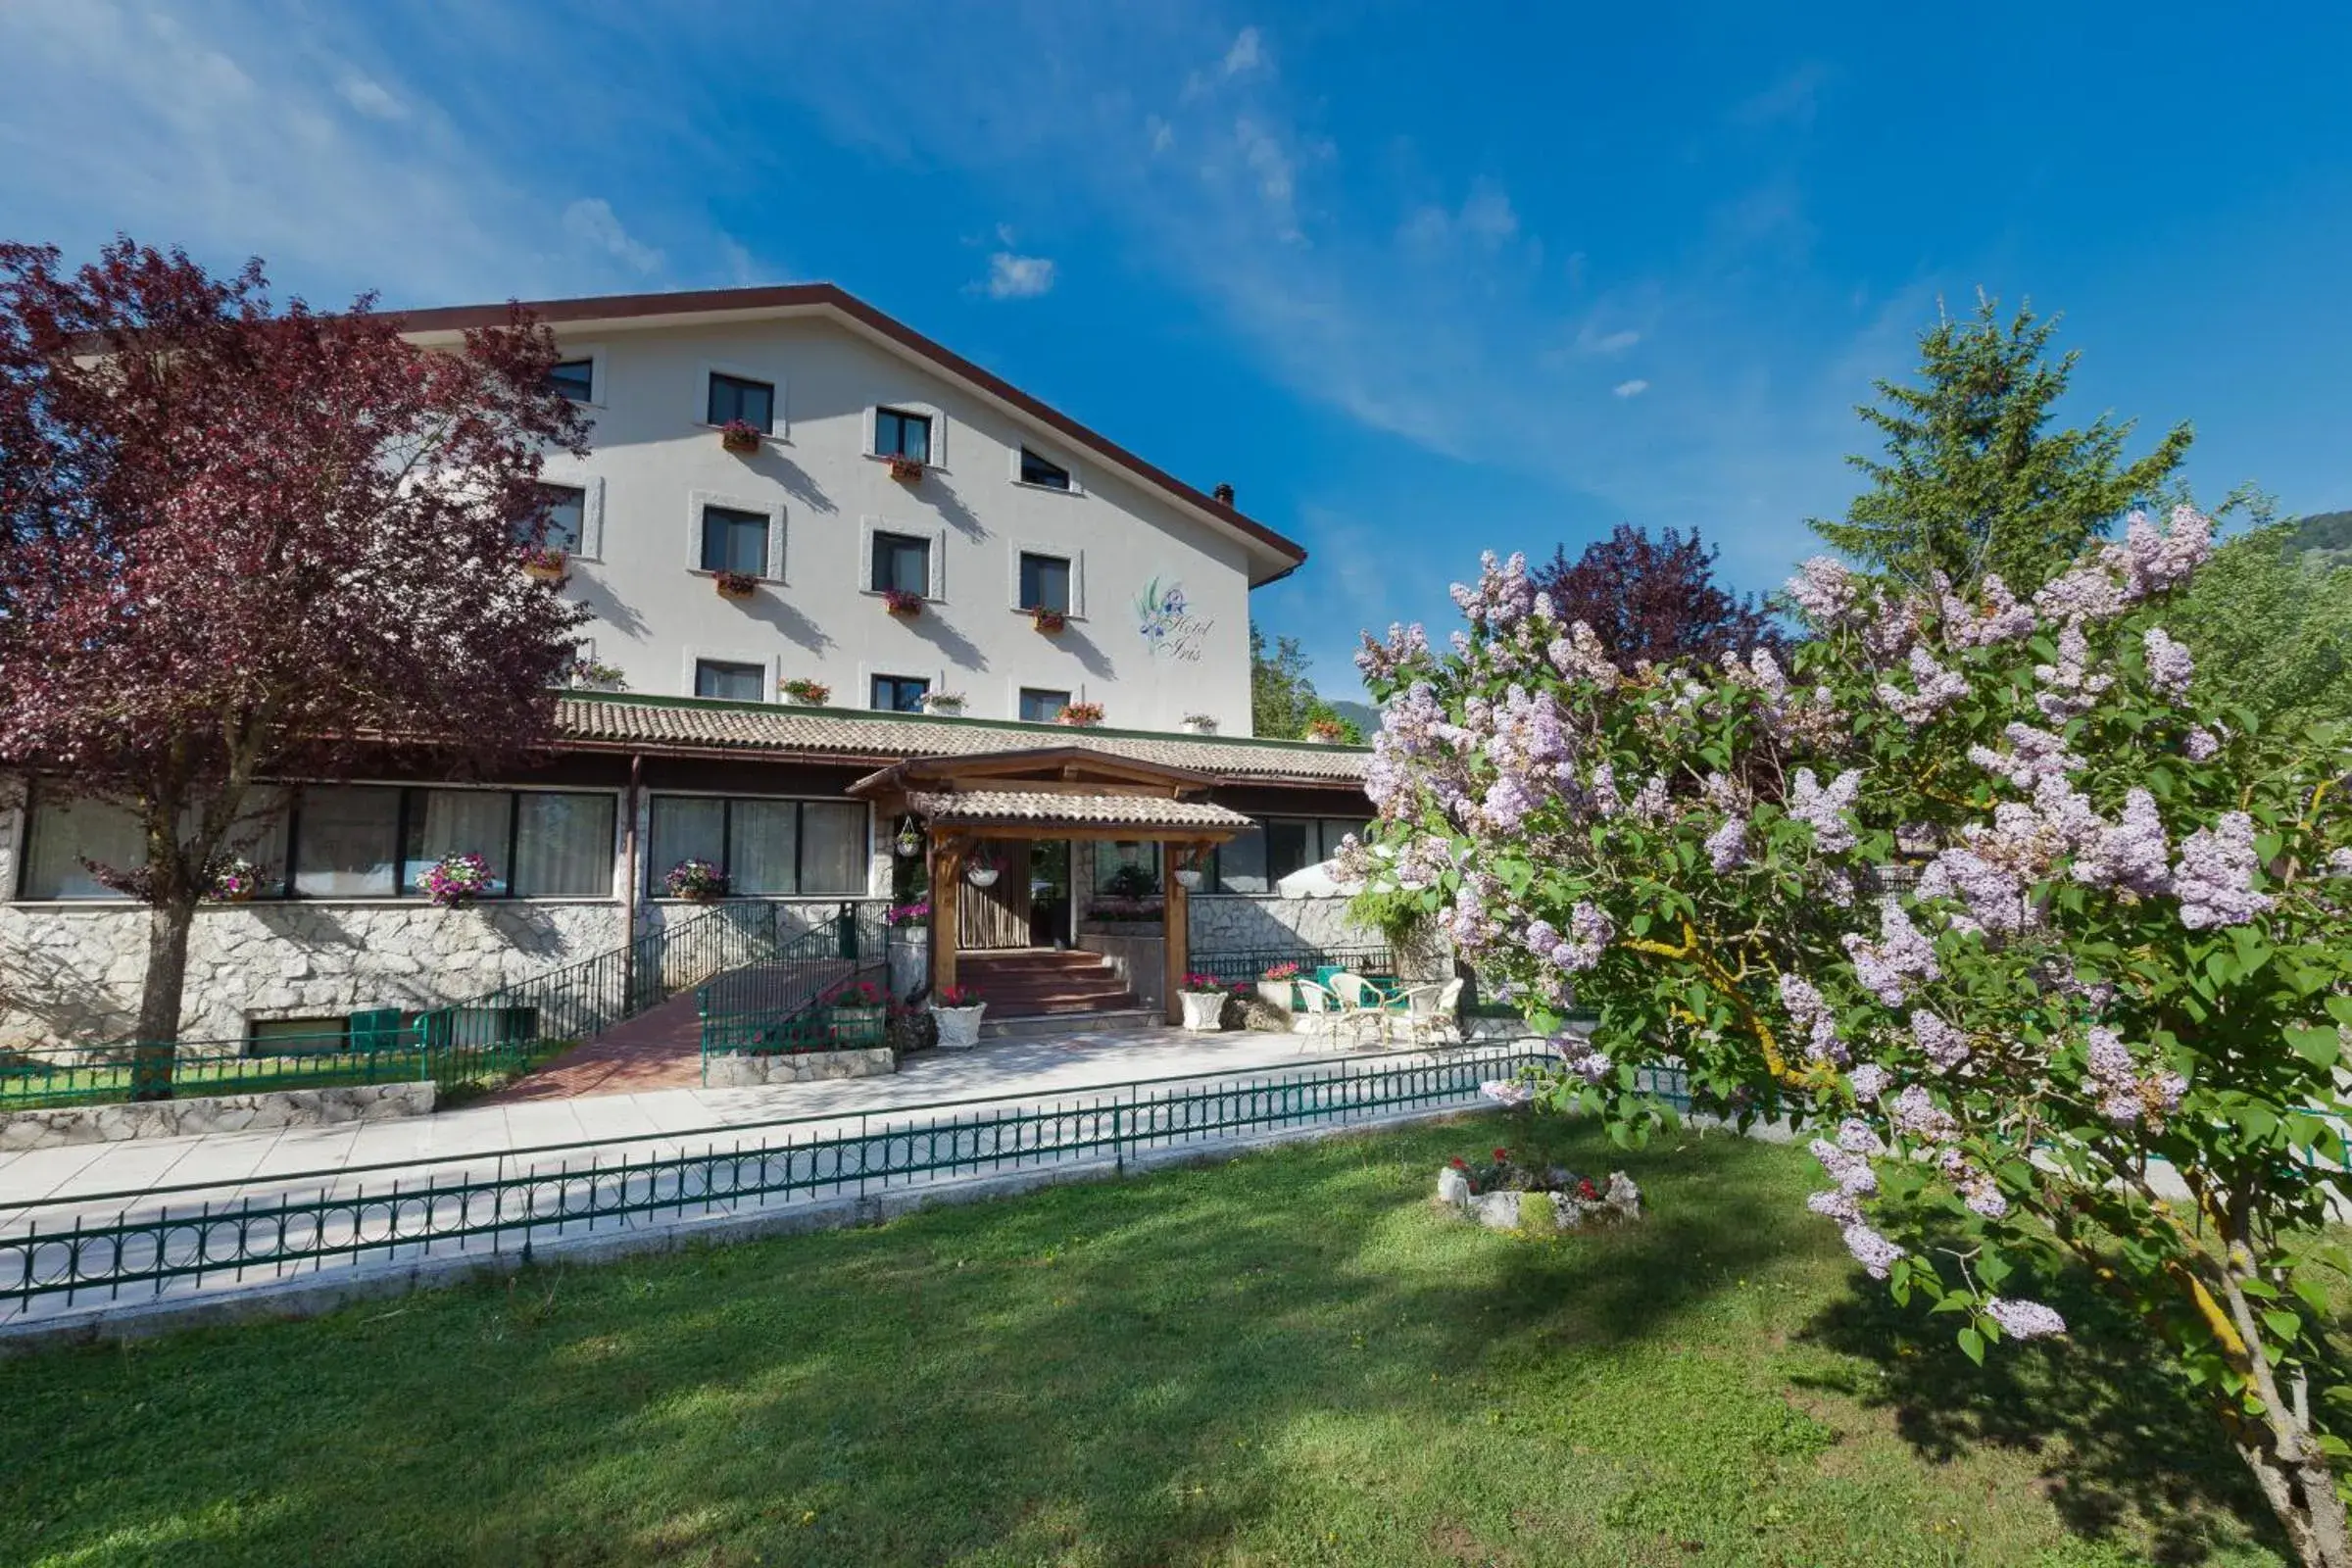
x=982 y=808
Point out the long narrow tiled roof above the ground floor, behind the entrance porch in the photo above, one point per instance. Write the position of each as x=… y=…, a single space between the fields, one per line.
x=693 y=725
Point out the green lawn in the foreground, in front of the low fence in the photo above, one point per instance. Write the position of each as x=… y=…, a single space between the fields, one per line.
x=1281 y=1360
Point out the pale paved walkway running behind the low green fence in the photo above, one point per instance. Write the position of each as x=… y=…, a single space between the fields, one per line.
x=48 y=1186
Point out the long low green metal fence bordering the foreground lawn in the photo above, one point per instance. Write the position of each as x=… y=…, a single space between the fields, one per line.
x=163 y=1240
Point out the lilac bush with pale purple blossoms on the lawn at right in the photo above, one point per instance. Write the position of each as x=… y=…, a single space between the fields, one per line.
x=2057 y=958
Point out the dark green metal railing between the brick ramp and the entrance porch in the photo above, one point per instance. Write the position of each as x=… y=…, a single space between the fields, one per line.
x=824 y=991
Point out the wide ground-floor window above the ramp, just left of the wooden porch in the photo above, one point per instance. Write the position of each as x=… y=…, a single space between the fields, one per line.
x=768 y=847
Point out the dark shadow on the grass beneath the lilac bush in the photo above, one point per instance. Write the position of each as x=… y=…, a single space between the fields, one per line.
x=2118 y=1438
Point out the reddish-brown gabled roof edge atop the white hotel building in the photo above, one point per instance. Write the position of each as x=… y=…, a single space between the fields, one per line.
x=831 y=300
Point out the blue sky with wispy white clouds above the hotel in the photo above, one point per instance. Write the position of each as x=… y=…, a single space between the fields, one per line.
x=1417 y=281
